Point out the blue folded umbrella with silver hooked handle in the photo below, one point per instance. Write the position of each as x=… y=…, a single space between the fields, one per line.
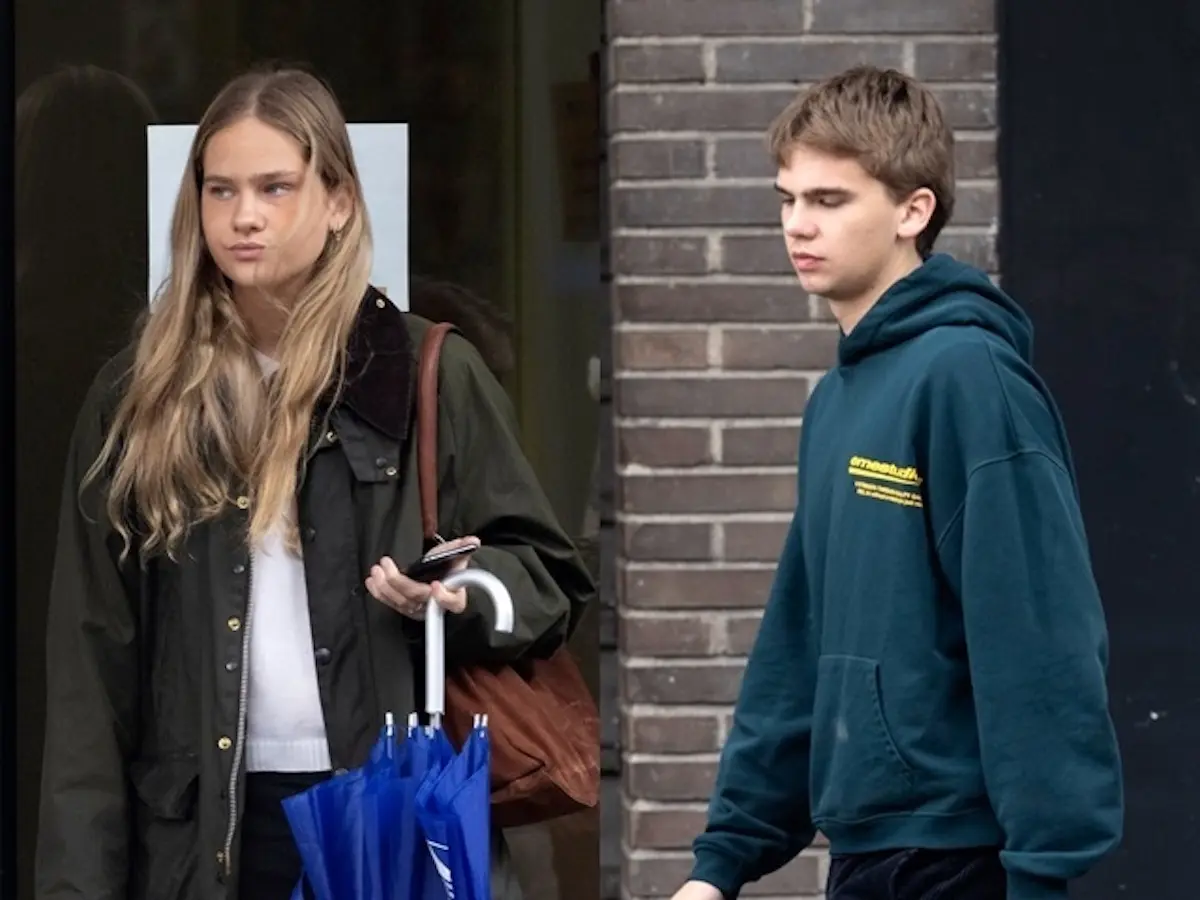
x=415 y=823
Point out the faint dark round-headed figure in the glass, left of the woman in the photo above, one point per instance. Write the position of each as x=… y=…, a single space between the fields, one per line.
x=79 y=292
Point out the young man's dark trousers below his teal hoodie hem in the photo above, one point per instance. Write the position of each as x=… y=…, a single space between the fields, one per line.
x=973 y=874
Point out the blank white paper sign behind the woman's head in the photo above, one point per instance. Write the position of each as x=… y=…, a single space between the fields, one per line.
x=381 y=151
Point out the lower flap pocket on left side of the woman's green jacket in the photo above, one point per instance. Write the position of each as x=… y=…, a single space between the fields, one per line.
x=165 y=857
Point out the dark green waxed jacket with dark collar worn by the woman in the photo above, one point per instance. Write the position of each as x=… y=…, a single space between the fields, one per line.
x=147 y=693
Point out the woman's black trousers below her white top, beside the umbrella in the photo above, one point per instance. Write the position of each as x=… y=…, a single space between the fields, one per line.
x=271 y=863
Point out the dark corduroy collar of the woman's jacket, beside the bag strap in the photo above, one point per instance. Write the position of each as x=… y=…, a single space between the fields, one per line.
x=381 y=368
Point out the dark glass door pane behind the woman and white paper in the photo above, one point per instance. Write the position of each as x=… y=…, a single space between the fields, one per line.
x=92 y=77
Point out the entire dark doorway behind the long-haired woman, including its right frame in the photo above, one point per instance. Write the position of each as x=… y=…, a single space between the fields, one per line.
x=490 y=89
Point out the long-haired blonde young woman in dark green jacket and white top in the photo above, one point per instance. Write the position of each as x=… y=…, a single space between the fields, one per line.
x=229 y=619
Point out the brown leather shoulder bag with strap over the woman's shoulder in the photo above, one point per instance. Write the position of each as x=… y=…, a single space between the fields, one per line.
x=543 y=722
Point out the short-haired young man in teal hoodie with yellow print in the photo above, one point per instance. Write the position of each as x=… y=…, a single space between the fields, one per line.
x=928 y=686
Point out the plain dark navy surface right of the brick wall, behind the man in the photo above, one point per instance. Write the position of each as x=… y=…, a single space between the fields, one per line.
x=1101 y=242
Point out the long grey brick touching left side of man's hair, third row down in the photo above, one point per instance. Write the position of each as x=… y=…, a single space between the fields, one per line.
x=695 y=110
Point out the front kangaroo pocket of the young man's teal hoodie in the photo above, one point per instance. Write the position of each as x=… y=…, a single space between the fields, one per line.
x=857 y=770
